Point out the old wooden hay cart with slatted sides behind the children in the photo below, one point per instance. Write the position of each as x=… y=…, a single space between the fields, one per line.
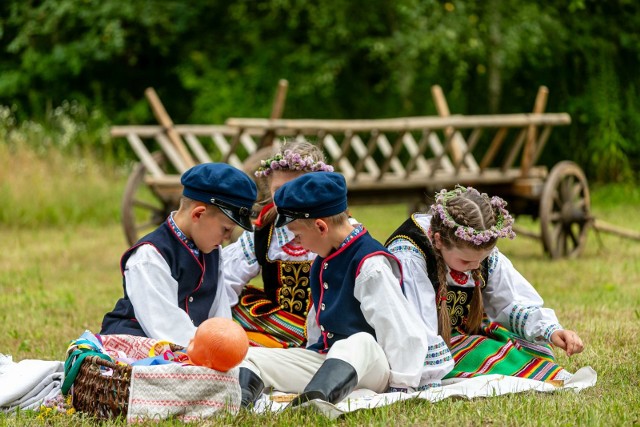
x=401 y=160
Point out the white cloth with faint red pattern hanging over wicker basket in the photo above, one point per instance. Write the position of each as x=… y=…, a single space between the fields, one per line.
x=189 y=393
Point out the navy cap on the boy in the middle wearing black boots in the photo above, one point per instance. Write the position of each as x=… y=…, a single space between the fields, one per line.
x=312 y=195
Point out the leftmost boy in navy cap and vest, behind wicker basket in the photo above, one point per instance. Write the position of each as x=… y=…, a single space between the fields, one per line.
x=172 y=277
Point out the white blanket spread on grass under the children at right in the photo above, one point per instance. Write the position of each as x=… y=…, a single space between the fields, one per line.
x=482 y=386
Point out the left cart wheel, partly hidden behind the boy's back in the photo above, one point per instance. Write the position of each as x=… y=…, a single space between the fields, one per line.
x=142 y=209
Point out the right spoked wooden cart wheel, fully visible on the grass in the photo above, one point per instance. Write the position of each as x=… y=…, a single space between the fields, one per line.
x=565 y=211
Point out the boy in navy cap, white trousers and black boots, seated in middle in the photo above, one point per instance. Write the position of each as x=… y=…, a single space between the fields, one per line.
x=362 y=331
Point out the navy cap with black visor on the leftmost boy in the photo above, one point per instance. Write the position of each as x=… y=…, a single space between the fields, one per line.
x=224 y=186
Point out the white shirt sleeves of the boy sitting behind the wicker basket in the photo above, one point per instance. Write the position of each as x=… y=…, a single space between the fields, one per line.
x=154 y=295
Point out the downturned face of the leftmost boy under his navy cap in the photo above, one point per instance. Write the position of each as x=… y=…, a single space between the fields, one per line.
x=211 y=228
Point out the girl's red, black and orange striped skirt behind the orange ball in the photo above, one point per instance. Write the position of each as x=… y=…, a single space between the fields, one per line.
x=268 y=327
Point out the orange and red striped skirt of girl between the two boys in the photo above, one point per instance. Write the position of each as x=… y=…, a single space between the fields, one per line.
x=279 y=329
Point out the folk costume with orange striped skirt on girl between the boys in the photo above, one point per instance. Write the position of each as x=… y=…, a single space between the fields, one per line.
x=274 y=315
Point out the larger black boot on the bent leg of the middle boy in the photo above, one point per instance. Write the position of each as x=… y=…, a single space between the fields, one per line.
x=333 y=382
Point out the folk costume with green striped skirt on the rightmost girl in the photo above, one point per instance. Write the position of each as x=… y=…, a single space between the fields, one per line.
x=517 y=328
